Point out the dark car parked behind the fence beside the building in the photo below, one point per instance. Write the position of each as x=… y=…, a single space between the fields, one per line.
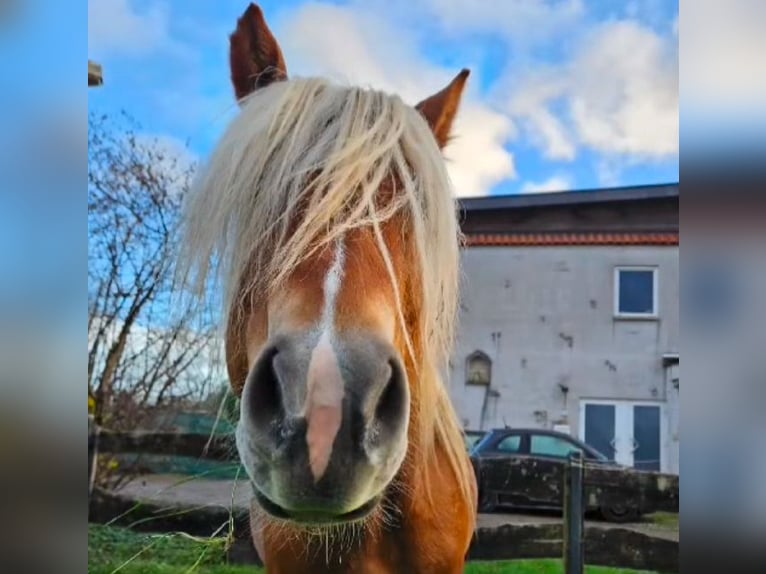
x=524 y=469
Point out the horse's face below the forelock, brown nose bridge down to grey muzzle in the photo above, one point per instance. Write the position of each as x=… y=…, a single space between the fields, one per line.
x=325 y=406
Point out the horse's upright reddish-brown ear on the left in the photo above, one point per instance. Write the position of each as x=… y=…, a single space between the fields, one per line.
x=254 y=54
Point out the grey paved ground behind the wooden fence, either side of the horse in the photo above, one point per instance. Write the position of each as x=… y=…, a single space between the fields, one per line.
x=172 y=489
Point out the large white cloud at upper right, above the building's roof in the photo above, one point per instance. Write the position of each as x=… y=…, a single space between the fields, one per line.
x=618 y=95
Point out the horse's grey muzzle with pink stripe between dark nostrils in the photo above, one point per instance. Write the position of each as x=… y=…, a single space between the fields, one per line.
x=323 y=426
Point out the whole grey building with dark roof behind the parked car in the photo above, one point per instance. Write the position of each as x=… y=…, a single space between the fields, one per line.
x=569 y=318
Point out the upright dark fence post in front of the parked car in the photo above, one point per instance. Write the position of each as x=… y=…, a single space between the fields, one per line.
x=573 y=515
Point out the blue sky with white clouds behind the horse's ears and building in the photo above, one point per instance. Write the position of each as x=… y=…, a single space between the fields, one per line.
x=563 y=94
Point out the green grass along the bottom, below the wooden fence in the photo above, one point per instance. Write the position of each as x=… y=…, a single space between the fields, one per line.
x=112 y=550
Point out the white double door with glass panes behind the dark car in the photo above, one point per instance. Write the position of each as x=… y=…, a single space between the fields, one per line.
x=628 y=432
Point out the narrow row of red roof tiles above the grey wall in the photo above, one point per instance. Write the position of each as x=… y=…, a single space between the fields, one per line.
x=542 y=239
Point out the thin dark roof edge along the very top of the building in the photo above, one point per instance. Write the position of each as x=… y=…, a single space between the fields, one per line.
x=575 y=197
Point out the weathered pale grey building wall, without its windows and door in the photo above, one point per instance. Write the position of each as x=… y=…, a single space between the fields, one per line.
x=545 y=317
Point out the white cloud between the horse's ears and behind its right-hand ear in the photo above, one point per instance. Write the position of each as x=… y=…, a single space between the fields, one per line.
x=358 y=46
